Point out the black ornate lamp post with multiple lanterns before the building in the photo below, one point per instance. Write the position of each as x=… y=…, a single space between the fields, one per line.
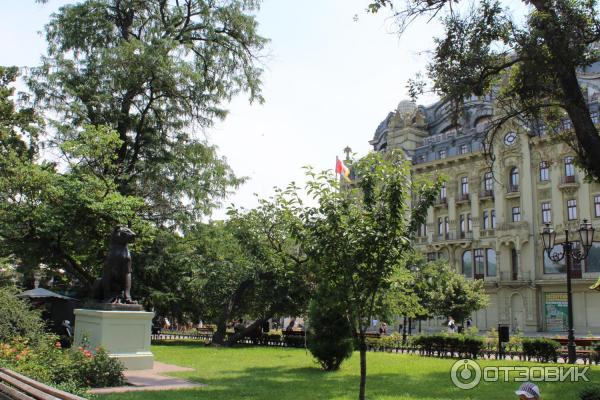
x=586 y=235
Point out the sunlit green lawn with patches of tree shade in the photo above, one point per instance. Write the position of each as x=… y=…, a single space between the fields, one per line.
x=291 y=374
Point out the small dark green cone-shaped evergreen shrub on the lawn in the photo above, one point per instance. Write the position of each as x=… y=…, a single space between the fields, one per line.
x=330 y=338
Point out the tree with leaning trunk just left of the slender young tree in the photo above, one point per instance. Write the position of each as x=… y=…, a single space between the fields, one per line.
x=282 y=281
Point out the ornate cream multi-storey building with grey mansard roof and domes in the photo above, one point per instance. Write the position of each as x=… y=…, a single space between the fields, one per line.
x=488 y=217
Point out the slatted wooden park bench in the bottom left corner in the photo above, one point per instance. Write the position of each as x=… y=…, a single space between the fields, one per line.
x=14 y=386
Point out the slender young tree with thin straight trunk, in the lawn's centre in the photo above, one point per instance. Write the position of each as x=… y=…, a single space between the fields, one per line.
x=358 y=235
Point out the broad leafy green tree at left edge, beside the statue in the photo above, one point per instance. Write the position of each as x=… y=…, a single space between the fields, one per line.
x=58 y=217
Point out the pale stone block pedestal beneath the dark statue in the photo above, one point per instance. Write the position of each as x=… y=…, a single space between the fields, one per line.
x=123 y=334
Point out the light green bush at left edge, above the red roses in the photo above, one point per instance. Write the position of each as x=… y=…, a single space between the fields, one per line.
x=17 y=319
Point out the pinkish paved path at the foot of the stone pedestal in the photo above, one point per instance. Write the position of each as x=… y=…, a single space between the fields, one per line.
x=151 y=379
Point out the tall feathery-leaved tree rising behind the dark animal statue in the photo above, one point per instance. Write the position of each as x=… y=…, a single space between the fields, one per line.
x=152 y=71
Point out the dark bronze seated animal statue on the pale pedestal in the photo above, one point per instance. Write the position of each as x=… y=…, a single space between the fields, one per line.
x=115 y=284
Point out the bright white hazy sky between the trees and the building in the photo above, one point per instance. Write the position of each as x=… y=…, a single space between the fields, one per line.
x=332 y=73
